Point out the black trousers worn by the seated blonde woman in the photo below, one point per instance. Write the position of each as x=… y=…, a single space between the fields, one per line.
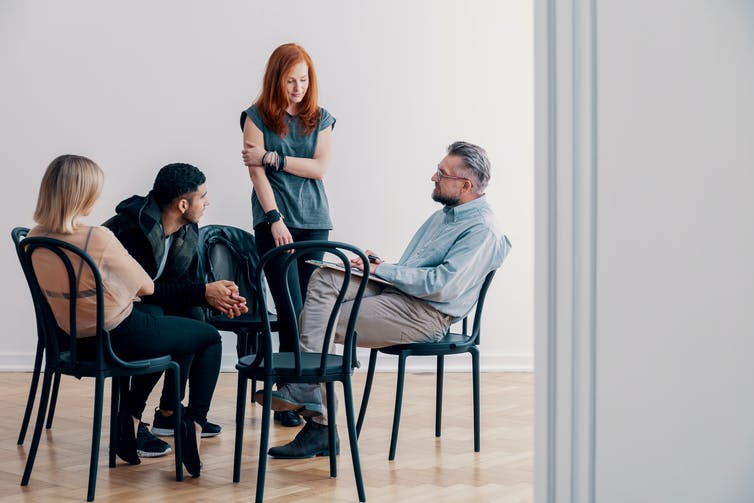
x=196 y=346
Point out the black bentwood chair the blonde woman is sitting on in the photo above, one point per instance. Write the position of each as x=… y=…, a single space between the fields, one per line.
x=61 y=355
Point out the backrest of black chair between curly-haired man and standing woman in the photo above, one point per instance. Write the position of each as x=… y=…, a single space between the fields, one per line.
x=230 y=253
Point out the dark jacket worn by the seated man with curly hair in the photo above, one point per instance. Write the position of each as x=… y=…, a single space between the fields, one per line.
x=138 y=226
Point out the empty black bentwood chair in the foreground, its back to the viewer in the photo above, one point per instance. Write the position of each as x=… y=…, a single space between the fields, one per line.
x=302 y=367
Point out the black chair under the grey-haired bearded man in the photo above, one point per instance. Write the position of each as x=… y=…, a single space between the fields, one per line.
x=452 y=343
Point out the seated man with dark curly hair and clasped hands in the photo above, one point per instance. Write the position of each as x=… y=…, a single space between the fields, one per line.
x=160 y=230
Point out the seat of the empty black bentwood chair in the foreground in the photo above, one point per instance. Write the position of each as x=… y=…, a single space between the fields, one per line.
x=284 y=365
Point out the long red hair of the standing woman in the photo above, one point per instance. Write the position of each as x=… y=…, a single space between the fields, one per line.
x=273 y=100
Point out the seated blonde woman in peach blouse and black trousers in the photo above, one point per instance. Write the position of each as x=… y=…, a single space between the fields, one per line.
x=70 y=187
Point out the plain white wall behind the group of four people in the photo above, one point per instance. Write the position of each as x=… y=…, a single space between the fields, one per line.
x=136 y=85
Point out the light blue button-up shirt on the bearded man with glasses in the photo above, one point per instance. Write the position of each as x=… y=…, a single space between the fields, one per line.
x=449 y=256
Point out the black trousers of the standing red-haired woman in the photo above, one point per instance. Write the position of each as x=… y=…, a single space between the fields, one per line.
x=298 y=279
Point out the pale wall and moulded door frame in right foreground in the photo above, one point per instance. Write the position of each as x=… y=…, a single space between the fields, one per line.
x=647 y=281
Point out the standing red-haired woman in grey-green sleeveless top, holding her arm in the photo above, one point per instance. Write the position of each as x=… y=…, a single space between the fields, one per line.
x=287 y=138
